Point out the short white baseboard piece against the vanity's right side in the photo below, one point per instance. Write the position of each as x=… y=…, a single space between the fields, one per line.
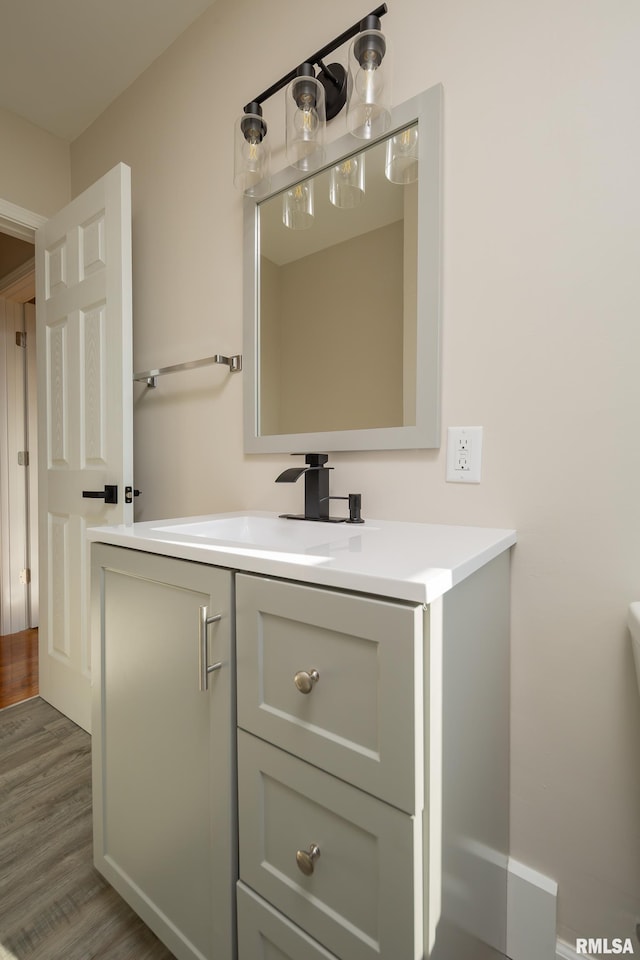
x=531 y=914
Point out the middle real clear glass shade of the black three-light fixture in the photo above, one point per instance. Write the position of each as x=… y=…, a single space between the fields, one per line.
x=306 y=122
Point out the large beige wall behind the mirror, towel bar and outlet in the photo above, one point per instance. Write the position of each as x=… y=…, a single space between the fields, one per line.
x=541 y=346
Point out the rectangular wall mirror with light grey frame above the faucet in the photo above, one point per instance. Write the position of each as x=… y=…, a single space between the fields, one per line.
x=342 y=277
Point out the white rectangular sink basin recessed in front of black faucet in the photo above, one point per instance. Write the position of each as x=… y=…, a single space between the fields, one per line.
x=265 y=533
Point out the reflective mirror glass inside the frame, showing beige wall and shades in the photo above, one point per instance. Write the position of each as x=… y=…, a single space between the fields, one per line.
x=338 y=295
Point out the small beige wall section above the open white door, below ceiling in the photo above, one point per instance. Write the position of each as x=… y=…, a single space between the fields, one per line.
x=34 y=166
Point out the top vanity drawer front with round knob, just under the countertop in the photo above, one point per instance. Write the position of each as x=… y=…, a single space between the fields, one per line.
x=360 y=719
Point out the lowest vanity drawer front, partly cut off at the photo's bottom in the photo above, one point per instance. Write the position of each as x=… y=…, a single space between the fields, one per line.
x=265 y=934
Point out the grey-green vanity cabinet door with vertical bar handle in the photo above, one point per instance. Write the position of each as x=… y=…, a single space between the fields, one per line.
x=162 y=759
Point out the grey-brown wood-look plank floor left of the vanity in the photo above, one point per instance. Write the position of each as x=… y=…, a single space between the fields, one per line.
x=54 y=905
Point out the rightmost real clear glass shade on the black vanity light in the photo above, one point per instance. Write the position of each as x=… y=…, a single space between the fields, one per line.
x=369 y=110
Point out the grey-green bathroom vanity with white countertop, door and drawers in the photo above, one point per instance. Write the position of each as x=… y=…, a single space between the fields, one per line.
x=301 y=735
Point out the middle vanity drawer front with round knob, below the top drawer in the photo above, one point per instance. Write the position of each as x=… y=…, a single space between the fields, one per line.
x=359 y=900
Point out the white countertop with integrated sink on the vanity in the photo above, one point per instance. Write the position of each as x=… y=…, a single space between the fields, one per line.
x=407 y=561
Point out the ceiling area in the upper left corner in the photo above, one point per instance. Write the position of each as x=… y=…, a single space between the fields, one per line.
x=62 y=62
